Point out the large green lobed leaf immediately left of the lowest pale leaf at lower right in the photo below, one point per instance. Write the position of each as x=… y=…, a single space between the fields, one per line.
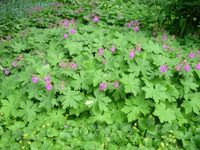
x=135 y=107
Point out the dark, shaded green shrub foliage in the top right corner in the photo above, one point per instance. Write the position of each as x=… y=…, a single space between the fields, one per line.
x=181 y=17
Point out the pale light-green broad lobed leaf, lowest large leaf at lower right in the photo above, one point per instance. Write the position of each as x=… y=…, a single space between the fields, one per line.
x=163 y=113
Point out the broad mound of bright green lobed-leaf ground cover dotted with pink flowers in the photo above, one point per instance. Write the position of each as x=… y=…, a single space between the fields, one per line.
x=77 y=79
